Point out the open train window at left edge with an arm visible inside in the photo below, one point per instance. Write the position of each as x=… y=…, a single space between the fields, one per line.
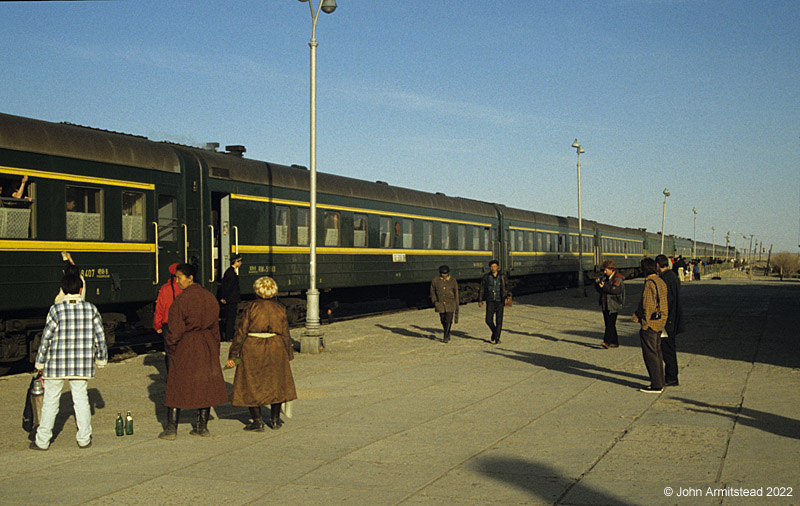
x=16 y=195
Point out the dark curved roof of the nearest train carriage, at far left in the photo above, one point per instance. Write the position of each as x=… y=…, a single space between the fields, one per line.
x=84 y=143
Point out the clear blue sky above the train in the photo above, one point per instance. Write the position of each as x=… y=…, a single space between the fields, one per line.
x=479 y=99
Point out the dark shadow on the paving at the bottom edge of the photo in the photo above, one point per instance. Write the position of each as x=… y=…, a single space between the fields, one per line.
x=532 y=477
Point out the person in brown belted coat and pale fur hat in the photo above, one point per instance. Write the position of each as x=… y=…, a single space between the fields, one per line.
x=264 y=347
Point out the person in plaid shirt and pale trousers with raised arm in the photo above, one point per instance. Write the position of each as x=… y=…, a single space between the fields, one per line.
x=73 y=342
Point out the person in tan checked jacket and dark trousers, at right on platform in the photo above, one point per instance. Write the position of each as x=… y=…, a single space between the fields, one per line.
x=652 y=314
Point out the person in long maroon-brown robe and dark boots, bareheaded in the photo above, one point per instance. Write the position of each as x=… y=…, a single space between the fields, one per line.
x=195 y=376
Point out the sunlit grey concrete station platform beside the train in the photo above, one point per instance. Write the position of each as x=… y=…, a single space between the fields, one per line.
x=390 y=415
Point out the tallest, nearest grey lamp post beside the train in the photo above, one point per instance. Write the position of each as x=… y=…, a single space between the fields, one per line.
x=312 y=296
